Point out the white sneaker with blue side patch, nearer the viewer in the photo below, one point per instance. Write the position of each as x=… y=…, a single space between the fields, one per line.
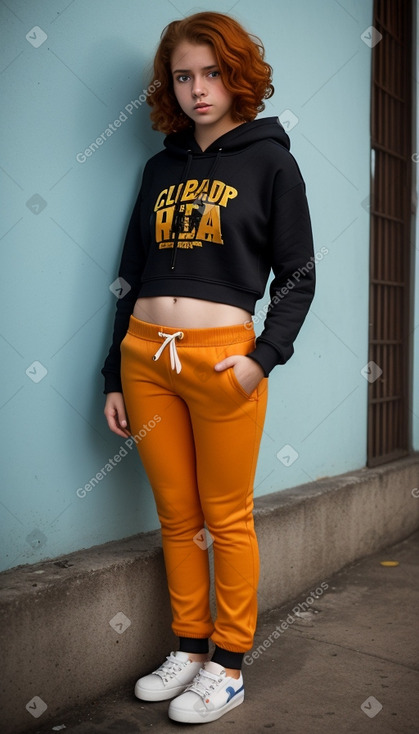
x=211 y=694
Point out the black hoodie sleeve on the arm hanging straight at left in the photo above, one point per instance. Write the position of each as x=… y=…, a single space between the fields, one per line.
x=130 y=271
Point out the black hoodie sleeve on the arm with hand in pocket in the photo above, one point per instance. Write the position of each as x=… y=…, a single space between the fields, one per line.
x=293 y=285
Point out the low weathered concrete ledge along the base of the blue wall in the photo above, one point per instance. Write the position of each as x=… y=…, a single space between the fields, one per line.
x=76 y=627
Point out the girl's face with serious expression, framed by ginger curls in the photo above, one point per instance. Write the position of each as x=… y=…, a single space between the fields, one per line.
x=199 y=89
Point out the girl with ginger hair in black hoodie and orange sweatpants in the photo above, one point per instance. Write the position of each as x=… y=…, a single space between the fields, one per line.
x=219 y=209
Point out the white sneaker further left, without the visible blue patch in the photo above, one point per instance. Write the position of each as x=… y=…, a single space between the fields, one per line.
x=170 y=679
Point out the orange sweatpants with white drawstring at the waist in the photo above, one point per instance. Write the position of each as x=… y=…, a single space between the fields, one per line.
x=200 y=459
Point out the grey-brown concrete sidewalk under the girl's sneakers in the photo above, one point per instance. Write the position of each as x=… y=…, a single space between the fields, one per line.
x=341 y=659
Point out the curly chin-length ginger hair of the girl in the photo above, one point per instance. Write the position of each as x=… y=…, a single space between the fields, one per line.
x=240 y=57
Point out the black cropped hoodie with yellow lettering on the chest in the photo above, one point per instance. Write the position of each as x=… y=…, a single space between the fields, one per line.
x=212 y=225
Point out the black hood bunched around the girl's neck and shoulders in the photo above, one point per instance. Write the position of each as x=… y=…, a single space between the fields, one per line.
x=267 y=128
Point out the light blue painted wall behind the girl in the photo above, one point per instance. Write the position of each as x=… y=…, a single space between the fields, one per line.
x=58 y=261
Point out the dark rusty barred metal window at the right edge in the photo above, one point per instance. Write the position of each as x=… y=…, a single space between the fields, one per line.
x=391 y=134
